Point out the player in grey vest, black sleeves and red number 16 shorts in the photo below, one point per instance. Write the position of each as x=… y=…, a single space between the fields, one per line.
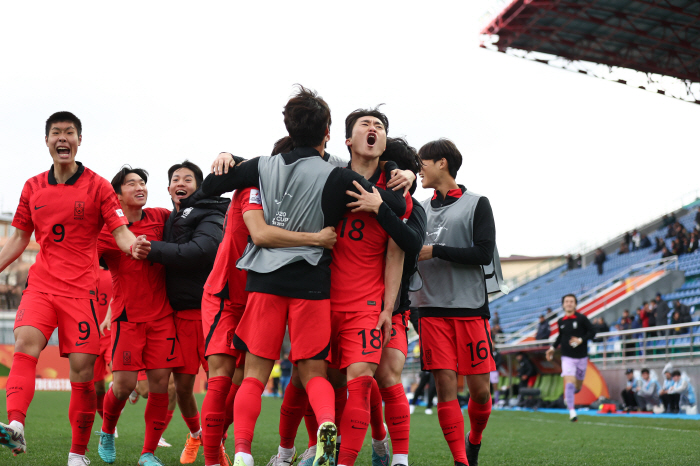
x=453 y=302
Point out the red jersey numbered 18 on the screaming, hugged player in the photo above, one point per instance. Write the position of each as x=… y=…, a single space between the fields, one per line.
x=359 y=257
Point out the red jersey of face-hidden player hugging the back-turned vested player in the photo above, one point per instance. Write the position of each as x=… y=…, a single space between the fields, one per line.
x=225 y=277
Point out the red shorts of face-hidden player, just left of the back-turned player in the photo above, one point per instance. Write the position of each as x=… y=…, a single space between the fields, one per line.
x=220 y=318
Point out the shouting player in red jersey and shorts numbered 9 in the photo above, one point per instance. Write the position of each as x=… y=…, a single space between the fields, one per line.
x=65 y=207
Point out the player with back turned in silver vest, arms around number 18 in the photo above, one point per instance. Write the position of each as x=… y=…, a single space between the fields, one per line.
x=300 y=192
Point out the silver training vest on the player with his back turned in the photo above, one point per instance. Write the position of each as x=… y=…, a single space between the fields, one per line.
x=291 y=199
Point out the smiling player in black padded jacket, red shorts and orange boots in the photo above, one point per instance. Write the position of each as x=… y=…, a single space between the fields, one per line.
x=191 y=237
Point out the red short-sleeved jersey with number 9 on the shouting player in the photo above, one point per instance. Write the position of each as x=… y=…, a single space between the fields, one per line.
x=66 y=220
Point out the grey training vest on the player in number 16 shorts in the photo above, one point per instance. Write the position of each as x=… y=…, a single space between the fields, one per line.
x=448 y=284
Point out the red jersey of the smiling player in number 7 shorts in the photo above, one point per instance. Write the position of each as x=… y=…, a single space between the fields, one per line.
x=138 y=286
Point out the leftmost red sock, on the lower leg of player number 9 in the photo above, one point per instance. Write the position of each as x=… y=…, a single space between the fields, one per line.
x=20 y=386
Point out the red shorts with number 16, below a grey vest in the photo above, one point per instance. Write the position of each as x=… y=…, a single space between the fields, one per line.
x=463 y=346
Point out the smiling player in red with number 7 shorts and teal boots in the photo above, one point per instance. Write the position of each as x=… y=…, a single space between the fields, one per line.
x=143 y=333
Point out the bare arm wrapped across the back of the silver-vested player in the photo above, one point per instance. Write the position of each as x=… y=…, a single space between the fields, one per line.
x=268 y=236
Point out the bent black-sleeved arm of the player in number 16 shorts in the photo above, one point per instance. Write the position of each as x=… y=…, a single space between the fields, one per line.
x=481 y=253
